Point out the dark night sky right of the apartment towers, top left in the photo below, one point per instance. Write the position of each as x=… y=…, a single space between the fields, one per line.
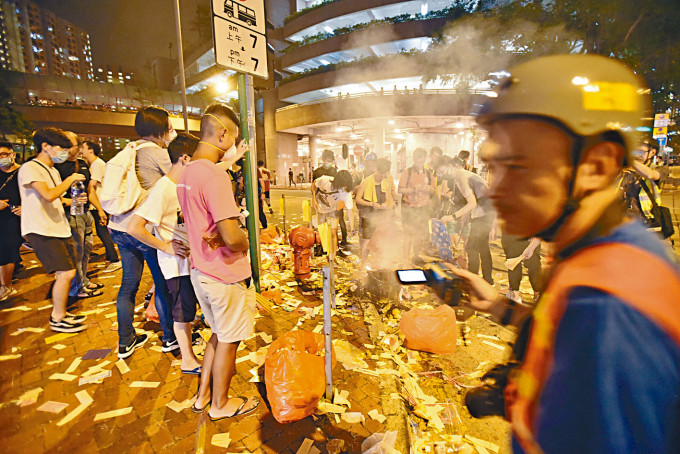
x=129 y=33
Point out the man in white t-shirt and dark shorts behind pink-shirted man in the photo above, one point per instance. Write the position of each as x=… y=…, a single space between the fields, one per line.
x=162 y=211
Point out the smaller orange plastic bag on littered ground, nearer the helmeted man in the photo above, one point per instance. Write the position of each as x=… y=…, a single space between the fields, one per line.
x=430 y=330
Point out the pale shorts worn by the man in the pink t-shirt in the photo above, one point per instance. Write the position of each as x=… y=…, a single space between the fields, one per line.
x=229 y=309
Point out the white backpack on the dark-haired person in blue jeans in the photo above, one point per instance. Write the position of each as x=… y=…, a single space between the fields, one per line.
x=121 y=189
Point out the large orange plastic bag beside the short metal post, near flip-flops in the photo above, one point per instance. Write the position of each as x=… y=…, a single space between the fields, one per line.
x=294 y=375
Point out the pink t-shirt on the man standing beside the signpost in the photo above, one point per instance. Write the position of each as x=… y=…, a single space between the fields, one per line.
x=206 y=197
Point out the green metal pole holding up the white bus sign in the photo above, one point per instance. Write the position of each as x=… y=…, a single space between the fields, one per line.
x=247 y=108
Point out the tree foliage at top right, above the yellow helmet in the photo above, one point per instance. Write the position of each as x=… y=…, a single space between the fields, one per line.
x=643 y=34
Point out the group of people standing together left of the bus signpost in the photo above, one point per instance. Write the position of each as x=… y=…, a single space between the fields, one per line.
x=57 y=200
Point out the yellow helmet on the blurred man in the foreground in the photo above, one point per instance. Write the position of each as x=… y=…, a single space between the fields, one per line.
x=587 y=94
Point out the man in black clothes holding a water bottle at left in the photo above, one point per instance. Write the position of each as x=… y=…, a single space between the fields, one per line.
x=82 y=225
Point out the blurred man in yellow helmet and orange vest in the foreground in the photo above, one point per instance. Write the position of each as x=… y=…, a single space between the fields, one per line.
x=601 y=370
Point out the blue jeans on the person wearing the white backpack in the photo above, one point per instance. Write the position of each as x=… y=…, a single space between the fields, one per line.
x=133 y=254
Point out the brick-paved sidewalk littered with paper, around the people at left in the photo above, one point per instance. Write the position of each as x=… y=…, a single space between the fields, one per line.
x=29 y=360
